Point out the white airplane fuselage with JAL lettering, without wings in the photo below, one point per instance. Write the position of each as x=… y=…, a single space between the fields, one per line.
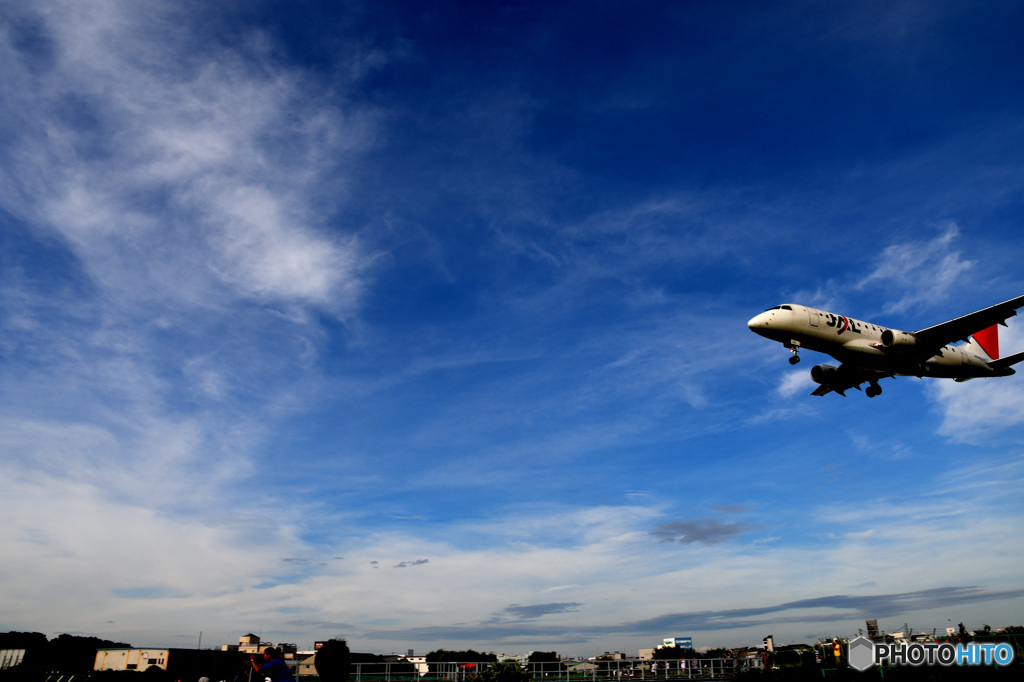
x=861 y=344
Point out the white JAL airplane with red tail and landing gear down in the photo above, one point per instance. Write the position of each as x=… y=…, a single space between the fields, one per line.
x=869 y=353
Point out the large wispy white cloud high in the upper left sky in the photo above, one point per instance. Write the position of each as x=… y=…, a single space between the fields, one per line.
x=182 y=161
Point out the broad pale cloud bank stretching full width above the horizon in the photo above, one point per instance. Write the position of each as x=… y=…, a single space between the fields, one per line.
x=244 y=567
